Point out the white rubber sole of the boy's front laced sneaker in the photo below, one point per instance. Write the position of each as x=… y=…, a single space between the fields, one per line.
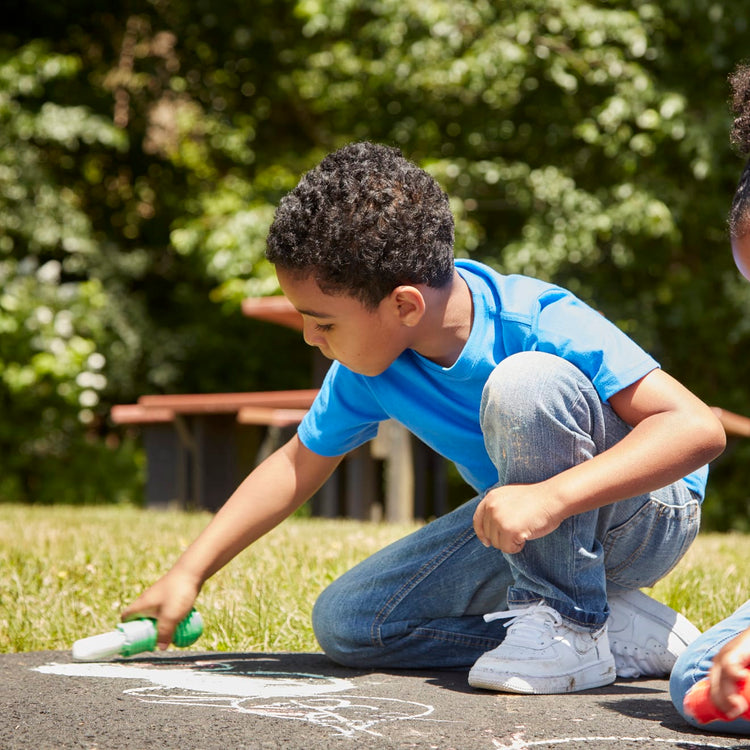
x=599 y=674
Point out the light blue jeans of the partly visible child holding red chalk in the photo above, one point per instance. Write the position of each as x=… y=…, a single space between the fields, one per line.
x=694 y=663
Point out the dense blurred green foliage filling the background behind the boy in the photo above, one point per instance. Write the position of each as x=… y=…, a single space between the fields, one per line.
x=581 y=141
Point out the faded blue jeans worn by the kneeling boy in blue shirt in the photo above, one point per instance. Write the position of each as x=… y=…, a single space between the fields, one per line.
x=419 y=602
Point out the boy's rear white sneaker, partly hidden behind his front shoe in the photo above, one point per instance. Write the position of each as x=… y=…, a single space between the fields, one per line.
x=646 y=636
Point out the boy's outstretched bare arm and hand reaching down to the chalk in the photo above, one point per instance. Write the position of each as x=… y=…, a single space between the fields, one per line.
x=272 y=492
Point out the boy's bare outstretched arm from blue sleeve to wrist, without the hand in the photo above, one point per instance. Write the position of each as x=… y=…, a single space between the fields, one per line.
x=272 y=492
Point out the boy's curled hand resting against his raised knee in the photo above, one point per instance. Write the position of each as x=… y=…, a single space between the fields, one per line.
x=509 y=516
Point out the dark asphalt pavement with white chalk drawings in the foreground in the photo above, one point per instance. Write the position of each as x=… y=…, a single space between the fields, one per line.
x=225 y=701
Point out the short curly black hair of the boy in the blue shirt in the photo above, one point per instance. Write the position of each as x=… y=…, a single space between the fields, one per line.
x=362 y=222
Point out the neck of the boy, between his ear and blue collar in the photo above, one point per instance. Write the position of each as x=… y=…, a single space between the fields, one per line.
x=446 y=325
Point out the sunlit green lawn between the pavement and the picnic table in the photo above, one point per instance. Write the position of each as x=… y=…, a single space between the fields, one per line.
x=66 y=572
